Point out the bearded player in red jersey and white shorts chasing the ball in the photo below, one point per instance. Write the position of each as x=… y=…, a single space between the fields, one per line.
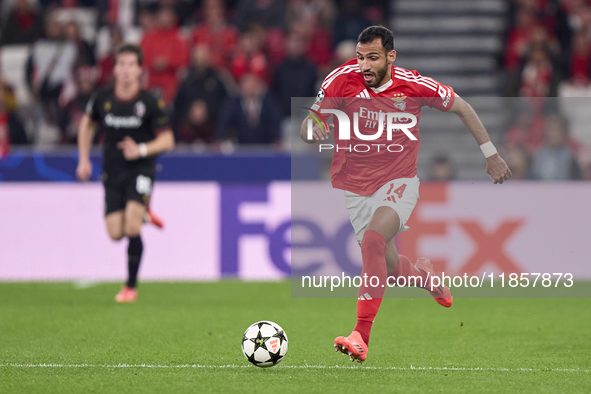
x=379 y=176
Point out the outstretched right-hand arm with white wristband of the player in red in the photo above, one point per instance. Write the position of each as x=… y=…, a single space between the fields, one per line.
x=495 y=165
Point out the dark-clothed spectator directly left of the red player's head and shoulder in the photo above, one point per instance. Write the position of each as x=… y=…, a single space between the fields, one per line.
x=296 y=76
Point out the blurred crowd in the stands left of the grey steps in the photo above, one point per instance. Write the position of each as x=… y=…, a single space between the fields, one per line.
x=226 y=69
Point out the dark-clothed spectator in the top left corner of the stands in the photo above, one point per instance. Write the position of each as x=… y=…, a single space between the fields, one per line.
x=24 y=25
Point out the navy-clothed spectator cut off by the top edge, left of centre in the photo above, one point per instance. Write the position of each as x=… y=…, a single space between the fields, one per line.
x=267 y=13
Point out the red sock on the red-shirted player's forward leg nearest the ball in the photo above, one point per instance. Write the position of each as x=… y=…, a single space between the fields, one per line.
x=373 y=253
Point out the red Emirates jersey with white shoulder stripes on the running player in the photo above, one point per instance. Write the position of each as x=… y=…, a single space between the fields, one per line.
x=361 y=164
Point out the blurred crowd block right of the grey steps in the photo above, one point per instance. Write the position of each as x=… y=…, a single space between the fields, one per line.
x=548 y=54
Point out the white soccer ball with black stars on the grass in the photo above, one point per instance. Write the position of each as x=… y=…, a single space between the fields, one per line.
x=264 y=343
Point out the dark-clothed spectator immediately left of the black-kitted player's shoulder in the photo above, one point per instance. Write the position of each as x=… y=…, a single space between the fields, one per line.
x=72 y=112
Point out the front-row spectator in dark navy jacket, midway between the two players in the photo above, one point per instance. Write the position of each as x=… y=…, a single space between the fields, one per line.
x=252 y=117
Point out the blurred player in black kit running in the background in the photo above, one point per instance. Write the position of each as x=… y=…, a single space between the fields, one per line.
x=136 y=131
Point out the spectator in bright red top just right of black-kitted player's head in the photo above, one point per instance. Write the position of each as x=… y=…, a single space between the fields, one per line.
x=165 y=53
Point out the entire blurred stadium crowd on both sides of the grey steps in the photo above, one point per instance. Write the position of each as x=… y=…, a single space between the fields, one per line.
x=227 y=69
